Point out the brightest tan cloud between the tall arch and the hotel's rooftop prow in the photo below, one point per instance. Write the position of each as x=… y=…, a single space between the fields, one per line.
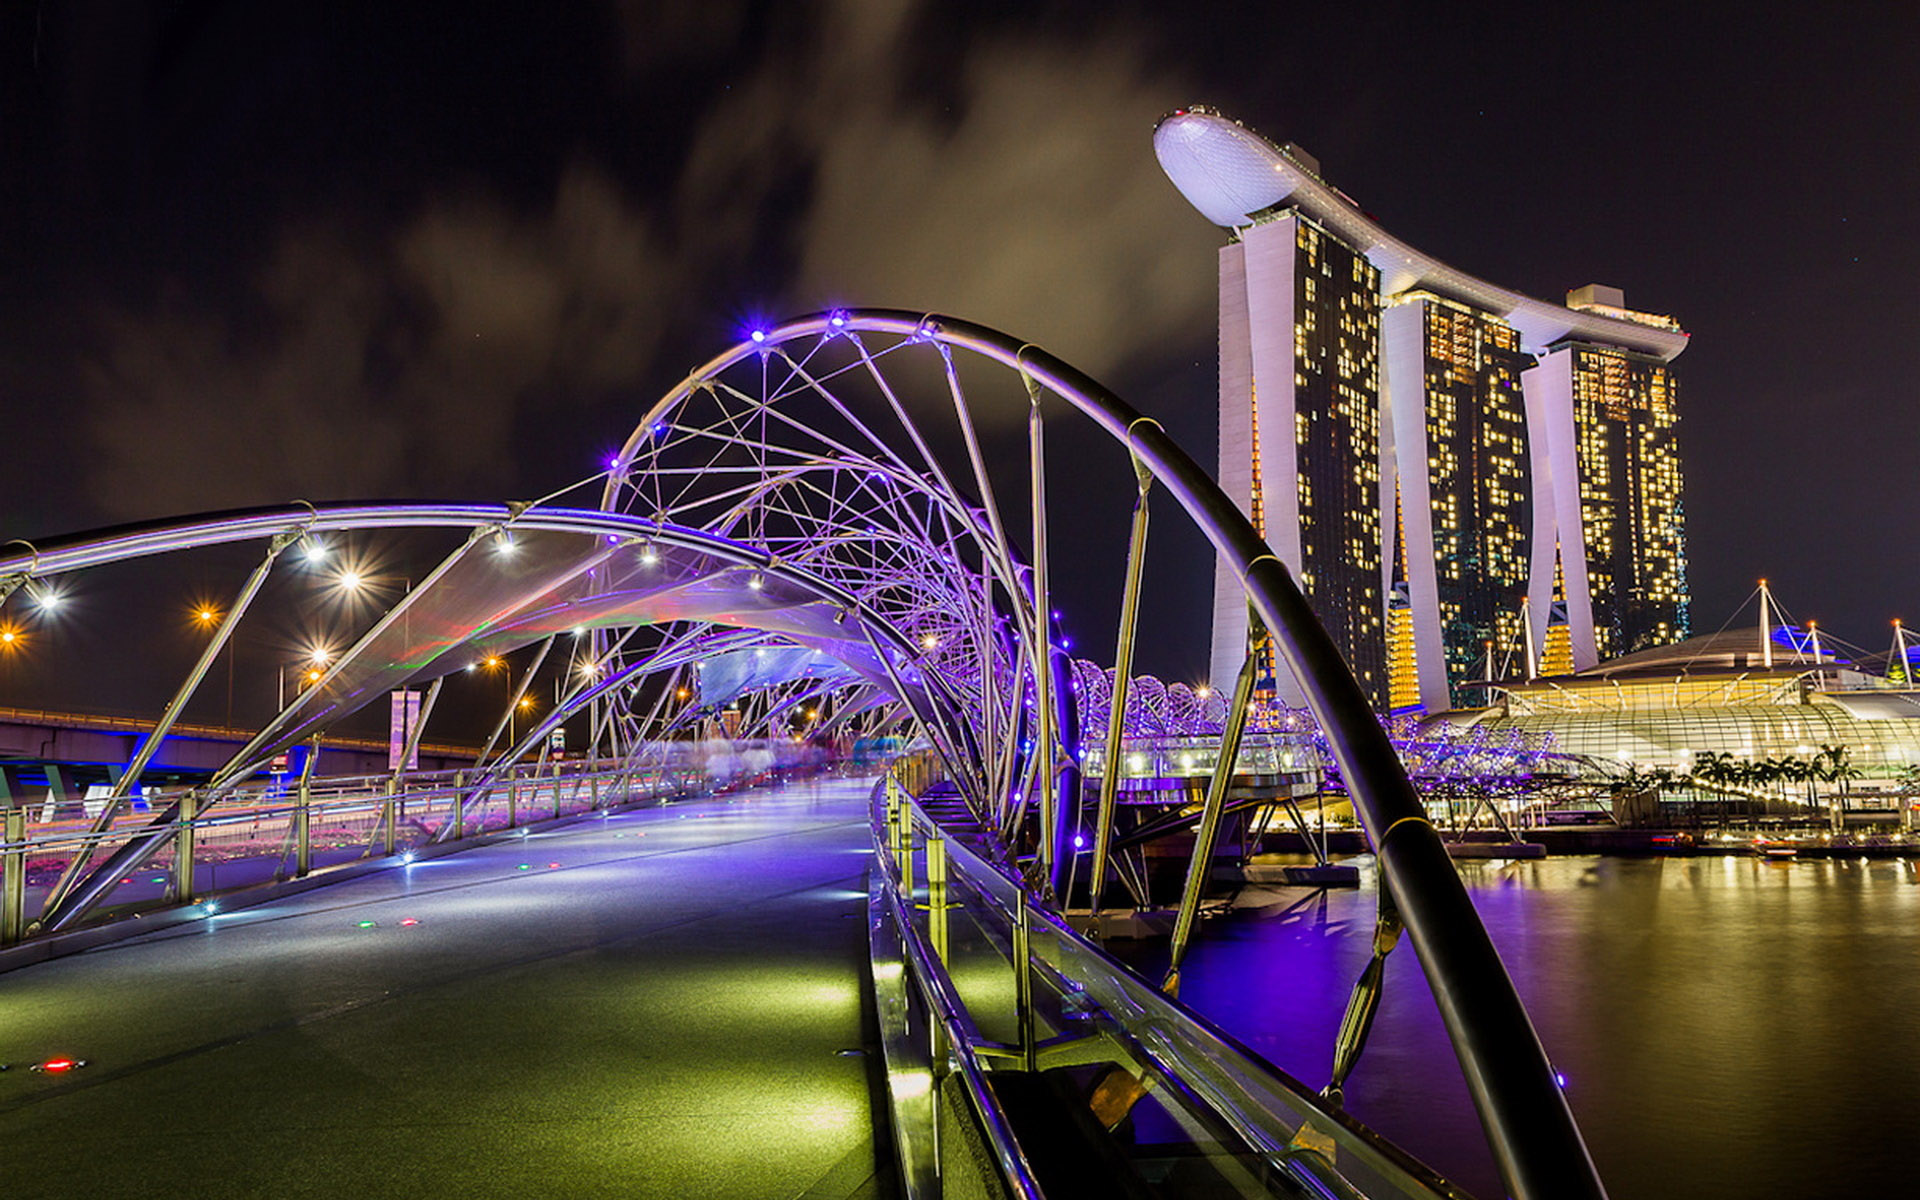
x=1020 y=201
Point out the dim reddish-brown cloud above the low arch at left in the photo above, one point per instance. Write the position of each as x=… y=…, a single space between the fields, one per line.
x=368 y=370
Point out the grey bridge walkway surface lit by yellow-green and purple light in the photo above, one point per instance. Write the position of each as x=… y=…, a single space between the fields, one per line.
x=646 y=1005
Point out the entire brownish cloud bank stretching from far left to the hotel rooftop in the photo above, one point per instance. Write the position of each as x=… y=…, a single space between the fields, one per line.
x=827 y=172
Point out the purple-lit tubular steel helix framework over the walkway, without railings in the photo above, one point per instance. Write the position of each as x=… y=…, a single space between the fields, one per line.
x=817 y=517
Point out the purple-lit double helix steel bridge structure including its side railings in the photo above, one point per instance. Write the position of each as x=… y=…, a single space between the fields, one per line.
x=842 y=525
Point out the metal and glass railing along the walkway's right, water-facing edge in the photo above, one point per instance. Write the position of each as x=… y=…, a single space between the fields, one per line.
x=1026 y=1063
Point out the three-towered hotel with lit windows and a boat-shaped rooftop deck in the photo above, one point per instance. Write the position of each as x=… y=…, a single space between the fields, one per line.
x=1466 y=481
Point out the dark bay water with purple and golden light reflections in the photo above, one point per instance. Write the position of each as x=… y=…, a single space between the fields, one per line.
x=1727 y=1026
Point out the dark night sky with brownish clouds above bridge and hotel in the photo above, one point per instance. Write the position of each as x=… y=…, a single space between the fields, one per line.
x=414 y=251
